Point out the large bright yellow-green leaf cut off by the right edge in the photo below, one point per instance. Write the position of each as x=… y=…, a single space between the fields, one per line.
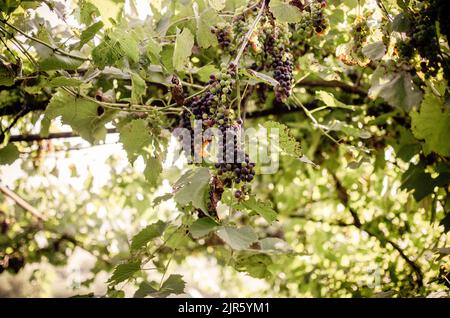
x=432 y=124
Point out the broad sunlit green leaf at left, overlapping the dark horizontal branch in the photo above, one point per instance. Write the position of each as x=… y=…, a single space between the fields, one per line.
x=81 y=114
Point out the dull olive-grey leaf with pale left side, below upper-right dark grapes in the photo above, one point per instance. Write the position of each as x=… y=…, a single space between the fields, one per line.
x=397 y=89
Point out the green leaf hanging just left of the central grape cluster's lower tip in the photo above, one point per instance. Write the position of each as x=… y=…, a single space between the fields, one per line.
x=192 y=187
